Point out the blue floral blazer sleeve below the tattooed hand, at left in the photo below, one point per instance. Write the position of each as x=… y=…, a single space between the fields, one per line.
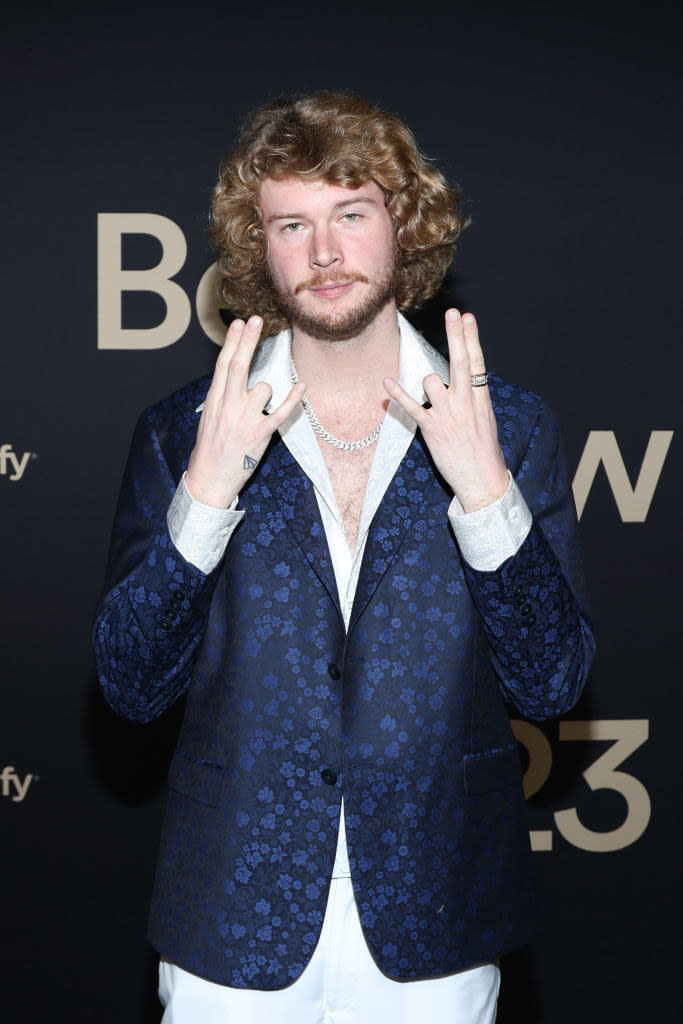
x=155 y=607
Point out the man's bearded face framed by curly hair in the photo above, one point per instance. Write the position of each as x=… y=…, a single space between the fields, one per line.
x=331 y=254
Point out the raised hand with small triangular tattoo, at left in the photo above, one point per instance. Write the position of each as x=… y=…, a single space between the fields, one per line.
x=233 y=433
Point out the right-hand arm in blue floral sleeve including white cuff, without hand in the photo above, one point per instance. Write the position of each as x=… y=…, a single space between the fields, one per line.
x=524 y=569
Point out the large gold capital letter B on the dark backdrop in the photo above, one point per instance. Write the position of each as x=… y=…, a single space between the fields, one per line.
x=113 y=281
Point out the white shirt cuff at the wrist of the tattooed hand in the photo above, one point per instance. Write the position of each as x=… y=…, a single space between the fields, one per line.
x=200 y=532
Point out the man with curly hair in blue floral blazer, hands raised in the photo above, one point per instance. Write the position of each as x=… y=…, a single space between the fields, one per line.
x=348 y=589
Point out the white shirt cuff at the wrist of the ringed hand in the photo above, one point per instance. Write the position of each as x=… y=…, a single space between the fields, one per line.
x=491 y=536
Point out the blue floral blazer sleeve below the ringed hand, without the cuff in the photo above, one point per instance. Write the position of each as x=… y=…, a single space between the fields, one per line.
x=535 y=607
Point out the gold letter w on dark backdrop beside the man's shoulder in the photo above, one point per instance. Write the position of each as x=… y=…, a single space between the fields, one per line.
x=633 y=503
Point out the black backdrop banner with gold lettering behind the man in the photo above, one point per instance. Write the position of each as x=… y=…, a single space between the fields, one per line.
x=561 y=130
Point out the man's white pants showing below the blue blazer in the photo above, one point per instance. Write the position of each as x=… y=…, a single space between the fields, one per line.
x=340 y=986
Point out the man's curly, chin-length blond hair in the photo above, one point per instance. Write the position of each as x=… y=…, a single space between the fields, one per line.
x=347 y=141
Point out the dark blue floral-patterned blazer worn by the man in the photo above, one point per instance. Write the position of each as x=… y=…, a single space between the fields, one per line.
x=405 y=714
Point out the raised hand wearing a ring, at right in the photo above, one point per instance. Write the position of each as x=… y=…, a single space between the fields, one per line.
x=460 y=429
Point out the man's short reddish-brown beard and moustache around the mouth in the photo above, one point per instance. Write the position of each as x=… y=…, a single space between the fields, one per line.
x=339 y=325
